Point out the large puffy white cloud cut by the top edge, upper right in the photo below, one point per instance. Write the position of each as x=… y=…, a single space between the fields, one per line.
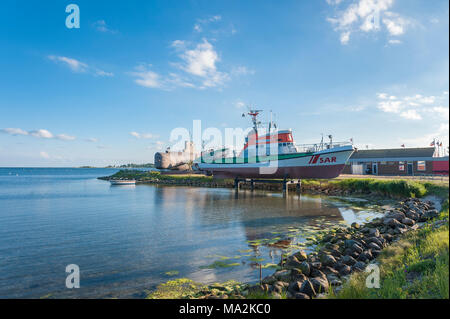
x=367 y=16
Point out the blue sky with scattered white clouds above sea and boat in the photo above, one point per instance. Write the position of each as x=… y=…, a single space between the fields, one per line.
x=111 y=91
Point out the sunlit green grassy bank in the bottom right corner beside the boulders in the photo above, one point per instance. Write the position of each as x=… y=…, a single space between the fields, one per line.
x=417 y=266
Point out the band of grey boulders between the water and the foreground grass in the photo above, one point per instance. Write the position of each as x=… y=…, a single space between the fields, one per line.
x=343 y=252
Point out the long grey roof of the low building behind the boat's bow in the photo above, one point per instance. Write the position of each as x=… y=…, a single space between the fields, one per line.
x=393 y=154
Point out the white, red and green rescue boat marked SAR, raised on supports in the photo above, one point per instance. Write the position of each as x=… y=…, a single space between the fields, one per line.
x=275 y=155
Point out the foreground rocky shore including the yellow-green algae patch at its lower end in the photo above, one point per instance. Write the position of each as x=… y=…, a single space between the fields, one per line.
x=340 y=253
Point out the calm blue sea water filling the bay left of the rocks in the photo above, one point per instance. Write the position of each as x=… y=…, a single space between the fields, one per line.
x=128 y=239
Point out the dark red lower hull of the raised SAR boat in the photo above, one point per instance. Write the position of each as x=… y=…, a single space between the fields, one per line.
x=323 y=171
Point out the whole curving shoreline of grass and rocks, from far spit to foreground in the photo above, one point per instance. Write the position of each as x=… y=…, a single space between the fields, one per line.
x=341 y=252
